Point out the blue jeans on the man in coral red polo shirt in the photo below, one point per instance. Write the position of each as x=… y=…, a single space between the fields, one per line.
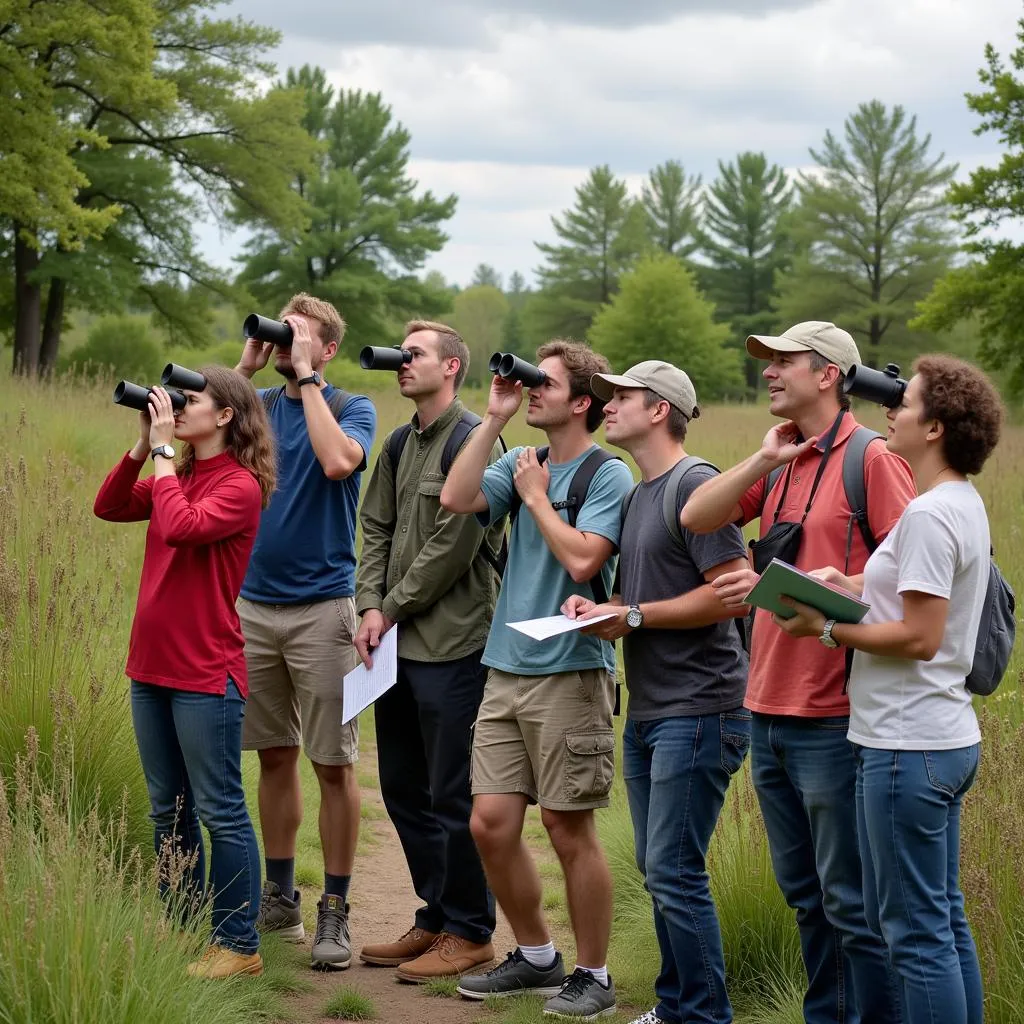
x=805 y=777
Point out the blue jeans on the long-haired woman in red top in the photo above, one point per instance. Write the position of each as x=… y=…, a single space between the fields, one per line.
x=191 y=746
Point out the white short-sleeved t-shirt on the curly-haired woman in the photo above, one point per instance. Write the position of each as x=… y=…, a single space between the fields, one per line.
x=941 y=546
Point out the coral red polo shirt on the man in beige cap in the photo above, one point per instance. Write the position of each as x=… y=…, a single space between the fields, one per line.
x=802 y=677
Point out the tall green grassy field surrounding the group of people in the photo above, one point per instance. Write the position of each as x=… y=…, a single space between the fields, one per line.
x=74 y=806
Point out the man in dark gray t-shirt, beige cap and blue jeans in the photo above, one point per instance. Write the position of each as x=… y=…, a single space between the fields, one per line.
x=687 y=732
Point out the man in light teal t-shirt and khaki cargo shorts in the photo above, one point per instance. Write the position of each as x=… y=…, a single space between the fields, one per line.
x=544 y=733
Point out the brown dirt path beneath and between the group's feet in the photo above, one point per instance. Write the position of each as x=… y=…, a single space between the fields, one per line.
x=382 y=907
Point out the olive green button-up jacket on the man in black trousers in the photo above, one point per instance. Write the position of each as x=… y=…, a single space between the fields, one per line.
x=421 y=566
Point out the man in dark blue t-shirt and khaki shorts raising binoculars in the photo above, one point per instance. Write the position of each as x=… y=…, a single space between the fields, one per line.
x=298 y=615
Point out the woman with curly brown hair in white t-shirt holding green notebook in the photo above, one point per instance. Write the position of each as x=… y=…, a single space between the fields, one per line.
x=912 y=721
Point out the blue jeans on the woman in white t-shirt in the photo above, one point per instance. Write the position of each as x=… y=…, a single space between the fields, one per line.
x=909 y=812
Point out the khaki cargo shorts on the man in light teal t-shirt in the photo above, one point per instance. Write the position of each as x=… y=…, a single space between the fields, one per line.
x=549 y=738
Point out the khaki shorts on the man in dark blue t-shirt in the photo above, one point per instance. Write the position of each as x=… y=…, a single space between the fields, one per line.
x=297 y=656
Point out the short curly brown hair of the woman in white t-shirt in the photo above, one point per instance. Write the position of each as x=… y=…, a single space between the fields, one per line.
x=968 y=406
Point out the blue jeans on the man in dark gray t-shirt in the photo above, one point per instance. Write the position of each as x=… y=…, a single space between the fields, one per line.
x=677 y=772
